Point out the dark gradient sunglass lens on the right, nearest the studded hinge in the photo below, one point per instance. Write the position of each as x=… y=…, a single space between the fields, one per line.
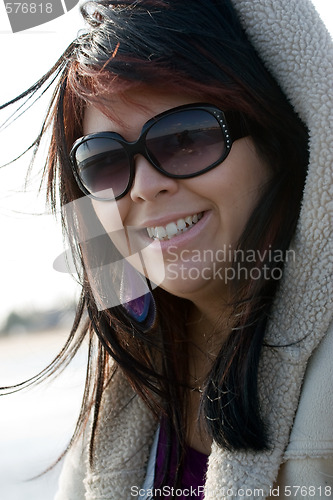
x=186 y=142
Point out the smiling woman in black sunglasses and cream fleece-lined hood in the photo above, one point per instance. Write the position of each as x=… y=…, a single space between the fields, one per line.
x=209 y=160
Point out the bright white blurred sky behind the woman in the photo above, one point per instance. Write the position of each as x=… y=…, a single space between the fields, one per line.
x=30 y=242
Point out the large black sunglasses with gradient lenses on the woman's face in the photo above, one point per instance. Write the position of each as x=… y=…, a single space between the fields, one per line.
x=181 y=143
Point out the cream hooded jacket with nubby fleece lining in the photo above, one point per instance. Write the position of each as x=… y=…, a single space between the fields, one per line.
x=296 y=382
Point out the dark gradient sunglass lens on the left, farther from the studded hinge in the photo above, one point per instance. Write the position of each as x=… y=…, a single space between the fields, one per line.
x=103 y=167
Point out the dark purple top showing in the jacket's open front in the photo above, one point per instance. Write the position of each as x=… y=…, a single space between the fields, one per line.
x=195 y=467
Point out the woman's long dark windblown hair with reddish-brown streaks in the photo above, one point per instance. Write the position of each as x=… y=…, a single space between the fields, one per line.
x=202 y=48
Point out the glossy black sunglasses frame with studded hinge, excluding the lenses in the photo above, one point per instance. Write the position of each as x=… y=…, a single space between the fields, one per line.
x=139 y=147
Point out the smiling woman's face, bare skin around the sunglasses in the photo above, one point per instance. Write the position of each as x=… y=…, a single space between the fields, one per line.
x=213 y=207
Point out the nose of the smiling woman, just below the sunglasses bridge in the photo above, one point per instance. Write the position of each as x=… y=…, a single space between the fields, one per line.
x=149 y=183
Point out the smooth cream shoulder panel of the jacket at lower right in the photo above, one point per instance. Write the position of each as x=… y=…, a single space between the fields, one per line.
x=308 y=459
